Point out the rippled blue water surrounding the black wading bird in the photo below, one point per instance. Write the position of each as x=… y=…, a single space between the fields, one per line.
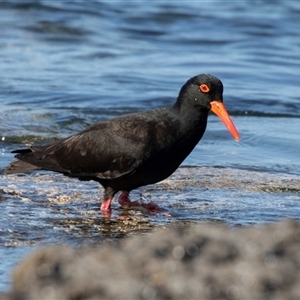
x=66 y=65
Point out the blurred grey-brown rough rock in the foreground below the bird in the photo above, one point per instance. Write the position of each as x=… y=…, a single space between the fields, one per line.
x=197 y=262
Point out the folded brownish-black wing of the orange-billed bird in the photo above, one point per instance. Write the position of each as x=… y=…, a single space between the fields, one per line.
x=106 y=150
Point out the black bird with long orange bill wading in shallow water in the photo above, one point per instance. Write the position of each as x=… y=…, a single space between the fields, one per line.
x=136 y=149
